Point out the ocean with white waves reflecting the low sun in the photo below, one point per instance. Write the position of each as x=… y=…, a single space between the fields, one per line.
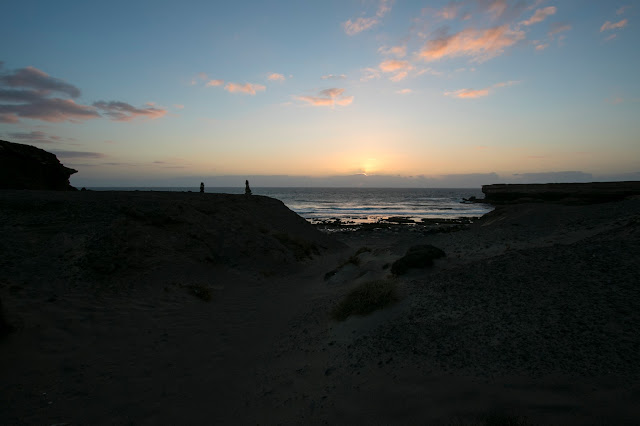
x=361 y=205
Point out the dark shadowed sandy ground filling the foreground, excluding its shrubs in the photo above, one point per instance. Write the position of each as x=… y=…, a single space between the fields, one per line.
x=532 y=317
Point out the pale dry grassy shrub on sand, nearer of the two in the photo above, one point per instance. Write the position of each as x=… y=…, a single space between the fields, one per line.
x=366 y=298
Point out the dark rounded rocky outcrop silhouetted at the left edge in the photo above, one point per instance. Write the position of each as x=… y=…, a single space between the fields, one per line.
x=27 y=167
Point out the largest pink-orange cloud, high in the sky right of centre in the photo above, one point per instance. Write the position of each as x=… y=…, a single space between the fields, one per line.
x=480 y=45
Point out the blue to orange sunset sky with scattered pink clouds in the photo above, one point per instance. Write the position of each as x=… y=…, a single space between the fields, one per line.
x=325 y=93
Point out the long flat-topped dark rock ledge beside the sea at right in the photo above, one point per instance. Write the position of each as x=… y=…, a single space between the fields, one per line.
x=594 y=192
